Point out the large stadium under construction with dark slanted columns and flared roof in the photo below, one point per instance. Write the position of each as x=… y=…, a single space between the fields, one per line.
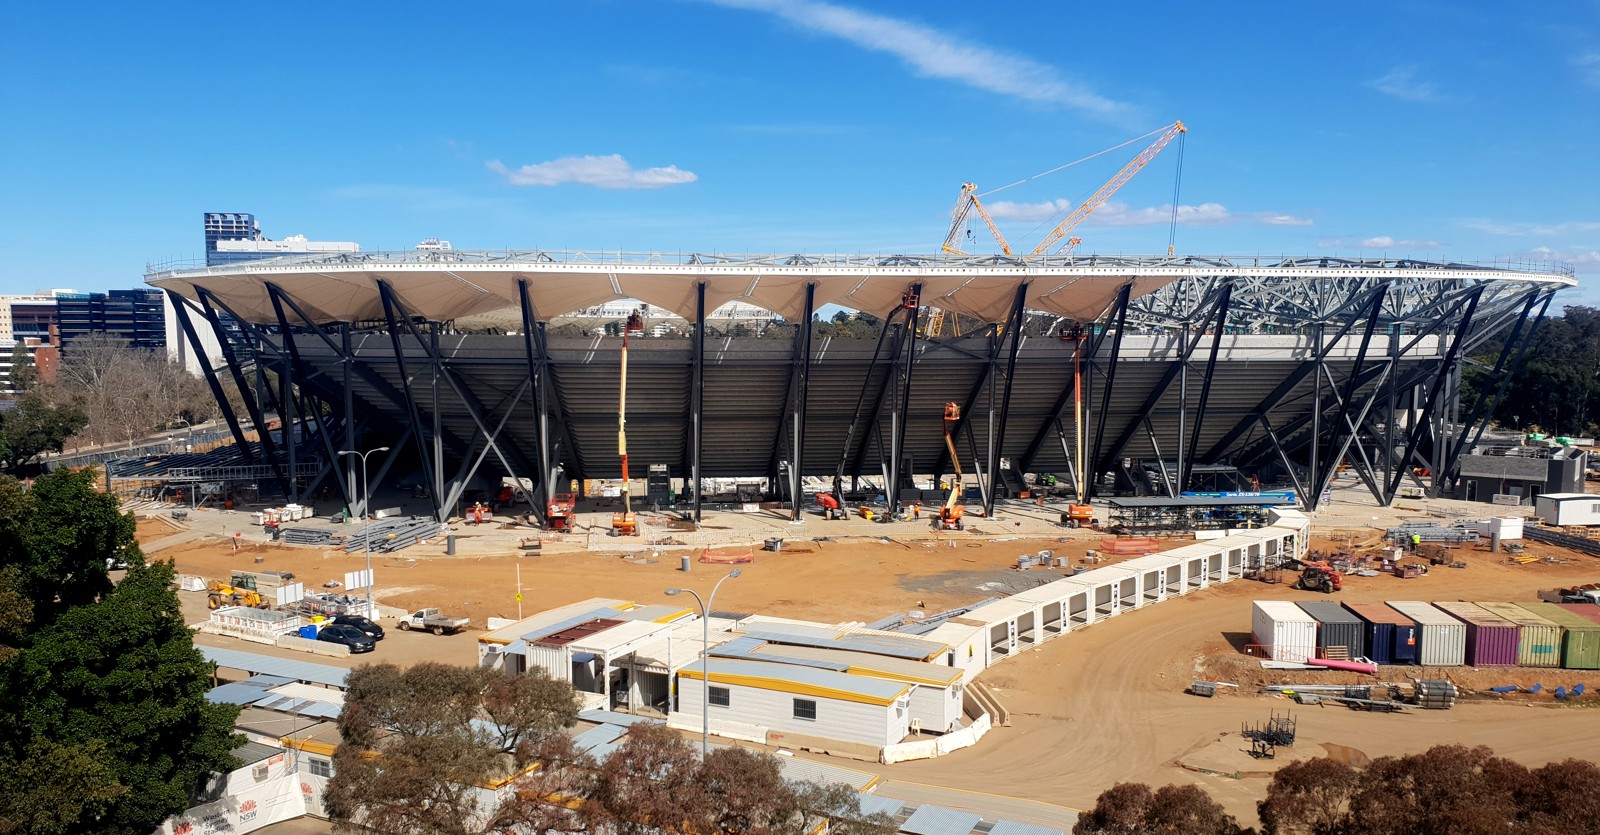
x=1150 y=375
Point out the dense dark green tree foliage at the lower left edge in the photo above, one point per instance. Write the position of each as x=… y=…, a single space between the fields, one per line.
x=108 y=729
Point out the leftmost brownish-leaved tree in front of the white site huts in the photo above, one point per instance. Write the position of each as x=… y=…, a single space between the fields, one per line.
x=417 y=745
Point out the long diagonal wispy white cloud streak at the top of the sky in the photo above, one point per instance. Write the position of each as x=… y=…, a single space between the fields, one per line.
x=938 y=55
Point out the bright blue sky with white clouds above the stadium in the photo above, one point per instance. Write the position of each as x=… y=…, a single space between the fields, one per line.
x=1430 y=130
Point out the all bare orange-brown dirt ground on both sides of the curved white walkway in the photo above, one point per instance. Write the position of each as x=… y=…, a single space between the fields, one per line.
x=1090 y=709
